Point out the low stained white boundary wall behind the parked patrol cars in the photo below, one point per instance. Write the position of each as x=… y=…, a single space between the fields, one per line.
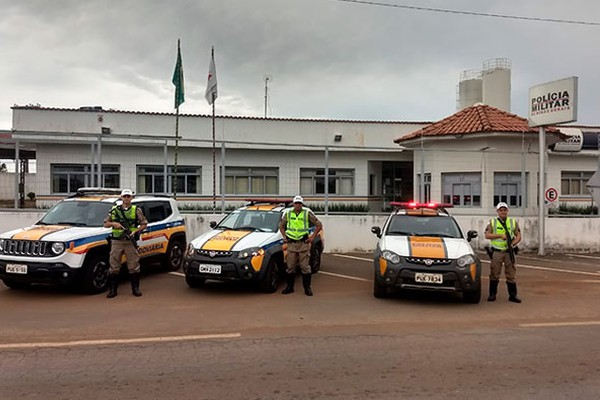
x=347 y=233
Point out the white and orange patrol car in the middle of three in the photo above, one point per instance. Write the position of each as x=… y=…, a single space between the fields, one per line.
x=245 y=246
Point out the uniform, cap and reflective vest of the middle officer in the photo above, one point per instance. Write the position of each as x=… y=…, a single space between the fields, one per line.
x=295 y=227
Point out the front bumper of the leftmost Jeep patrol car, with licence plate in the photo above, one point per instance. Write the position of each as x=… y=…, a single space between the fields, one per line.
x=52 y=273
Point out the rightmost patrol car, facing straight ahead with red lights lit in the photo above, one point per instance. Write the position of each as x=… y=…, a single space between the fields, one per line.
x=422 y=247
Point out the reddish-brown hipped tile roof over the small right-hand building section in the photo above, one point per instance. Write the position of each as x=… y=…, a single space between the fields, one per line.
x=479 y=118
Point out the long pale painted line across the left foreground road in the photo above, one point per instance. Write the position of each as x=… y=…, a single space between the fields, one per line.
x=100 y=342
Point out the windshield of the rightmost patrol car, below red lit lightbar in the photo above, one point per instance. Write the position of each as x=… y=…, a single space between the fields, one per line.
x=417 y=225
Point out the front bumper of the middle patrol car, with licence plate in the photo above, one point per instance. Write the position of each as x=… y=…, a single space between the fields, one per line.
x=231 y=269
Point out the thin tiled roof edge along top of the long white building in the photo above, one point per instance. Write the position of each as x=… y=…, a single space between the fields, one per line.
x=99 y=109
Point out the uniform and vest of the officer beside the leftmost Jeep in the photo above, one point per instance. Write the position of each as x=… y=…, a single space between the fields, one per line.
x=123 y=244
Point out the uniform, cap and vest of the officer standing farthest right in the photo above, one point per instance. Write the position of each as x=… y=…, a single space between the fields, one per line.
x=501 y=255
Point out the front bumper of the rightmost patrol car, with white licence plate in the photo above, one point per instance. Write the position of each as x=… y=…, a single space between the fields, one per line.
x=453 y=279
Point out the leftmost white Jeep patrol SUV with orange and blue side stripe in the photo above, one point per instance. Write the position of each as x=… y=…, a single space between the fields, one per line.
x=69 y=245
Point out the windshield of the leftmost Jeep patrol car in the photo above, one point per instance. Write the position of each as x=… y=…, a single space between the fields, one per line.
x=77 y=213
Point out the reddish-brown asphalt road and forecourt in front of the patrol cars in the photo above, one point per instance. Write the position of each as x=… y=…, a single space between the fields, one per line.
x=227 y=341
